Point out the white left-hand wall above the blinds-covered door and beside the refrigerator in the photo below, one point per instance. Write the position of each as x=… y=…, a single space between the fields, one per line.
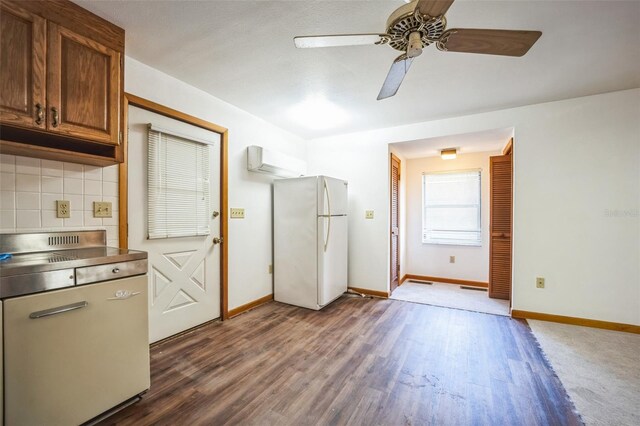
x=249 y=239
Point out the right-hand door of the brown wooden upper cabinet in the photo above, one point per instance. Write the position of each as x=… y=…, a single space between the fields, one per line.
x=83 y=87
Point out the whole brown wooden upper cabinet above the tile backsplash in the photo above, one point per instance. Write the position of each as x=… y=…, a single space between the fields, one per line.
x=61 y=82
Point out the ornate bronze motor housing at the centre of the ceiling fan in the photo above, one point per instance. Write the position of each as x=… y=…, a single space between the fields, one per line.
x=405 y=21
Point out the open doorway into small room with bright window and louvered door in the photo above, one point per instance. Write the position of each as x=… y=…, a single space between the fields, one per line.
x=454 y=254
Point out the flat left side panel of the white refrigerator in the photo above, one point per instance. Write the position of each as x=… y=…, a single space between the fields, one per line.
x=295 y=241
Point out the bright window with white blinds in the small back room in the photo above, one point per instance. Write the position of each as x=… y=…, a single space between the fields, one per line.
x=451 y=208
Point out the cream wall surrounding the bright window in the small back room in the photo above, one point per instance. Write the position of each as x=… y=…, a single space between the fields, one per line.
x=472 y=263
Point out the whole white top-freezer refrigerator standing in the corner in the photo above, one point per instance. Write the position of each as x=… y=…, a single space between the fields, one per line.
x=310 y=240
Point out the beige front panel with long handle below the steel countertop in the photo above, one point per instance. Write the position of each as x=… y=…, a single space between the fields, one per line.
x=72 y=354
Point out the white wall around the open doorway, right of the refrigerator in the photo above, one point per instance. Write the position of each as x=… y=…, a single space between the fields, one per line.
x=577 y=197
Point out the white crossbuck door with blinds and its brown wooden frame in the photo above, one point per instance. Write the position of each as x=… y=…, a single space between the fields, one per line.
x=187 y=271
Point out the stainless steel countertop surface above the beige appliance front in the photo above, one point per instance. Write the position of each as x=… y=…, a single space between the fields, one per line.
x=29 y=263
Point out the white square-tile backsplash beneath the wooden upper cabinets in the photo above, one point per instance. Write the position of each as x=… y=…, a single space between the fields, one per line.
x=29 y=188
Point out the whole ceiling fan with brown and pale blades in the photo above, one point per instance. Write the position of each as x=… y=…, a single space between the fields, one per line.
x=414 y=26
